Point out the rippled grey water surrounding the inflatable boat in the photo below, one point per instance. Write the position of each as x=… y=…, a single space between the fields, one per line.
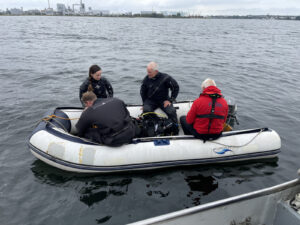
x=44 y=60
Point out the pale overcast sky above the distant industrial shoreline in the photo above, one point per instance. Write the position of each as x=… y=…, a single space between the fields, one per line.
x=203 y=7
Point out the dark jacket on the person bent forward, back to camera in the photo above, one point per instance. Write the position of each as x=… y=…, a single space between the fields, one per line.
x=107 y=122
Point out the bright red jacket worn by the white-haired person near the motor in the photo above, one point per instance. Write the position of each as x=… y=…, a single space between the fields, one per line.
x=202 y=106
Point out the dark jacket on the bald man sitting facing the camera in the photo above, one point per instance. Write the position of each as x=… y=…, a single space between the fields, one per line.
x=157 y=89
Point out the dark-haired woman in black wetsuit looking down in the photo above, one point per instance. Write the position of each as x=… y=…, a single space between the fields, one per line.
x=96 y=83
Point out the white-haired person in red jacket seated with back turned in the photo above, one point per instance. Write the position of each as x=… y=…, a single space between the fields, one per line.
x=208 y=113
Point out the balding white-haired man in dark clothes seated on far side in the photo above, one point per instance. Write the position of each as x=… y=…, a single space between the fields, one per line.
x=155 y=92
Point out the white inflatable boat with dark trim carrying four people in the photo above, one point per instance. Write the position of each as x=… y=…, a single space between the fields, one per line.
x=54 y=141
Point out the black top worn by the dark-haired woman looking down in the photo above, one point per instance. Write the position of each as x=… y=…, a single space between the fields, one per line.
x=102 y=88
